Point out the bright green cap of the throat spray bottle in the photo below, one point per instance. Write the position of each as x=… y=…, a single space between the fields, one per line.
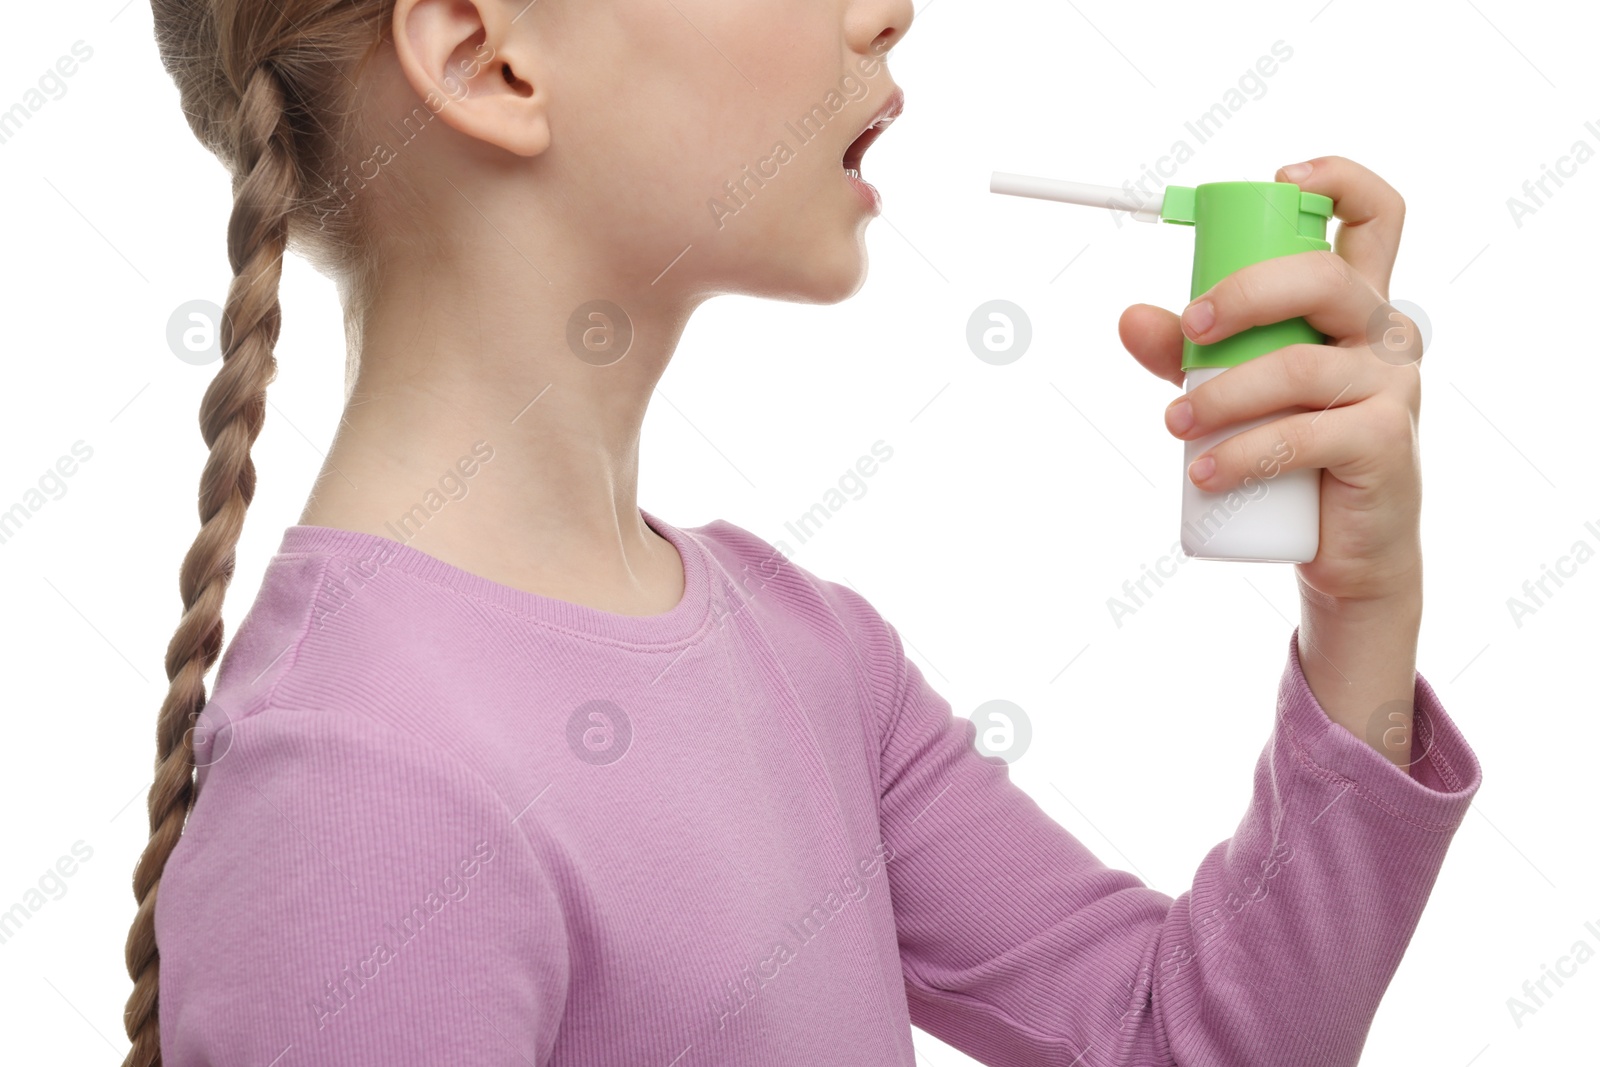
x=1239 y=223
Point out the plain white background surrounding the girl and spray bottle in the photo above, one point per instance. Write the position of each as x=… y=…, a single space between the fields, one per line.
x=1017 y=502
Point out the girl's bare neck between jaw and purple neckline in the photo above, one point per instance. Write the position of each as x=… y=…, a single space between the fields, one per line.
x=455 y=377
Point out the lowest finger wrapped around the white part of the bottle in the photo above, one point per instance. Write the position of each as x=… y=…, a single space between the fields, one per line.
x=1356 y=444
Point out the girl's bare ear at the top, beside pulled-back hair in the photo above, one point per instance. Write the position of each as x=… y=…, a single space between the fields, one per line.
x=473 y=65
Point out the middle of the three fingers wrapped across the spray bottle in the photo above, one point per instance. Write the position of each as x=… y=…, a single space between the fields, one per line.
x=1300 y=377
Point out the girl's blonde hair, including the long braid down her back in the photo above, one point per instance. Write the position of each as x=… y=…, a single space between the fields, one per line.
x=270 y=87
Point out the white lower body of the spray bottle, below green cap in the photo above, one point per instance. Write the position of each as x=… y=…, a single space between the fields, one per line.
x=1273 y=516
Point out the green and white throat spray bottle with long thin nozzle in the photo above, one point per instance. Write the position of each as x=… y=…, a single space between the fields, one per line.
x=1274 y=514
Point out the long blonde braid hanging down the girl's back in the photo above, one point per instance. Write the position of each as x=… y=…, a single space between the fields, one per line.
x=231 y=417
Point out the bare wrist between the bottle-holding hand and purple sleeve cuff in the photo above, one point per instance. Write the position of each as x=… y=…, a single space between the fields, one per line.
x=1361 y=665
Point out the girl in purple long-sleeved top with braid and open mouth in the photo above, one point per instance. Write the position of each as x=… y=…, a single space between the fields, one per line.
x=505 y=770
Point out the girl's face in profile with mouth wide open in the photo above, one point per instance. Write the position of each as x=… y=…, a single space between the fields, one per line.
x=700 y=146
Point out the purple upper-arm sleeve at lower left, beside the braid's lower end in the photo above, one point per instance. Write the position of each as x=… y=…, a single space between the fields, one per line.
x=350 y=897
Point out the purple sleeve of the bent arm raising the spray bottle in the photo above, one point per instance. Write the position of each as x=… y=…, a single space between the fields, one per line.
x=1018 y=946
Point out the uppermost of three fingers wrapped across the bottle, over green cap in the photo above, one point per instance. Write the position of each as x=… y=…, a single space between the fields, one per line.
x=1316 y=286
